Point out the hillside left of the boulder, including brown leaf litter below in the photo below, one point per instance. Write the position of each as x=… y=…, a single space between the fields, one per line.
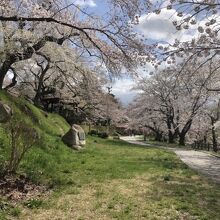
x=41 y=163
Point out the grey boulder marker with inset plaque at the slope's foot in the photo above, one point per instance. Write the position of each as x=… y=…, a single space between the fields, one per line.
x=75 y=137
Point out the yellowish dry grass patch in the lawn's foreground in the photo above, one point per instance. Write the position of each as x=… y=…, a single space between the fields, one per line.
x=133 y=198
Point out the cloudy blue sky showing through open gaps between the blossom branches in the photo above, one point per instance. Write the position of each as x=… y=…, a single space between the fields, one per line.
x=155 y=27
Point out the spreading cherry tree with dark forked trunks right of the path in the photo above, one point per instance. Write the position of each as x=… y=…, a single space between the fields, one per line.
x=178 y=97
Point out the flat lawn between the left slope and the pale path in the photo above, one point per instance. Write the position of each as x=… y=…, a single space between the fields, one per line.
x=111 y=179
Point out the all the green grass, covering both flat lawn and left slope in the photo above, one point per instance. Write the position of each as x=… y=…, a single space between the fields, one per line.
x=109 y=179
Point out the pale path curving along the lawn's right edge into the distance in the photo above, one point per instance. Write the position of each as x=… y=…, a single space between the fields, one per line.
x=200 y=161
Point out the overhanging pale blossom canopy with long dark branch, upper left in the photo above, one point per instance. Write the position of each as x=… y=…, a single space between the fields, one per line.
x=27 y=25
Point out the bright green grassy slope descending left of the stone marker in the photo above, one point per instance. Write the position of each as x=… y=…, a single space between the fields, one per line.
x=41 y=160
